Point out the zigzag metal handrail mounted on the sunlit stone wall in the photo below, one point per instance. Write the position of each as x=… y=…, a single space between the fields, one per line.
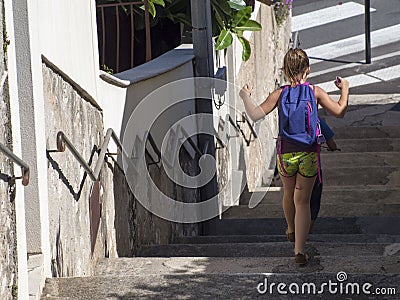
x=63 y=142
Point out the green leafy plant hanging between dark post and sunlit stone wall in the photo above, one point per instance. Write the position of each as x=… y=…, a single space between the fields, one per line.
x=233 y=18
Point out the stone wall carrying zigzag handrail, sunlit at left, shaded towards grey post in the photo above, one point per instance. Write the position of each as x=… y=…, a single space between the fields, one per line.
x=124 y=223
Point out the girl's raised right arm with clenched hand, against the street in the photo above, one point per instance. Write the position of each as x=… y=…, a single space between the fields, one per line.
x=337 y=109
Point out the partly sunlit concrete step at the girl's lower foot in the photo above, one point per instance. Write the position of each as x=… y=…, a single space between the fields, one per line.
x=245 y=265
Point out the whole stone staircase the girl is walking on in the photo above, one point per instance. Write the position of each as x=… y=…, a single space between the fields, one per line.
x=356 y=235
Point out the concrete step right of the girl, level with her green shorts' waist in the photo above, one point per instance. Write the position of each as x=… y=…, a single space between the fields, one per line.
x=365 y=159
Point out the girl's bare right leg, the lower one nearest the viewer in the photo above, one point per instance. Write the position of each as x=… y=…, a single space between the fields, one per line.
x=302 y=219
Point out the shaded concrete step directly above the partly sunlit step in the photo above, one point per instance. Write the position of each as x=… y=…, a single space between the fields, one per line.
x=273 y=249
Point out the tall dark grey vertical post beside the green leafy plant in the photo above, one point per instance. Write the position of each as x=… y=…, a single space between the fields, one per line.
x=204 y=67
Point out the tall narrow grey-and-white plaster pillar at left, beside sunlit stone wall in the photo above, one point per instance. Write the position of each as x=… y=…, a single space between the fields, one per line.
x=27 y=69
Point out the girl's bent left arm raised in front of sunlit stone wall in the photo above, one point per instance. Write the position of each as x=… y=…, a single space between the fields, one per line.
x=257 y=112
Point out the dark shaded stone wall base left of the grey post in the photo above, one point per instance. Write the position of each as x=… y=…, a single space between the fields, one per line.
x=135 y=225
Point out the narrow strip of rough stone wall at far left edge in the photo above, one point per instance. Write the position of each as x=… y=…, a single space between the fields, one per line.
x=8 y=257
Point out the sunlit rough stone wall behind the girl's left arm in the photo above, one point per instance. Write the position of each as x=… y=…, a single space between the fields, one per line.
x=264 y=72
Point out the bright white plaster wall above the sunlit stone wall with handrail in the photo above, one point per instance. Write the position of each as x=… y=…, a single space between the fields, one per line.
x=68 y=38
